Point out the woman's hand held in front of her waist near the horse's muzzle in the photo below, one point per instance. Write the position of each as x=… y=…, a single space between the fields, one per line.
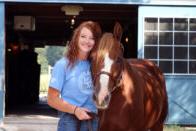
x=82 y=113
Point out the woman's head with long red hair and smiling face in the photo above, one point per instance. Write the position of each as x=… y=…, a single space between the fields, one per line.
x=84 y=38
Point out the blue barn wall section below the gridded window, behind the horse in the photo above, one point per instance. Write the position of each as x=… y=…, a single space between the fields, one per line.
x=182 y=99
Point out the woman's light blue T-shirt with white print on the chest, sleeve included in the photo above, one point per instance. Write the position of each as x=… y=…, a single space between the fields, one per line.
x=74 y=84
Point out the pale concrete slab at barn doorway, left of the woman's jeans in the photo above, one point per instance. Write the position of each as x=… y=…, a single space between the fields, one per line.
x=29 y=123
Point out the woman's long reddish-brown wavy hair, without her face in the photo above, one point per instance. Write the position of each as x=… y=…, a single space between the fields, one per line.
x=73 y=49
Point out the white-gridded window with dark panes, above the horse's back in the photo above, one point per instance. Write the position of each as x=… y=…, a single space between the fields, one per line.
x=171 y=43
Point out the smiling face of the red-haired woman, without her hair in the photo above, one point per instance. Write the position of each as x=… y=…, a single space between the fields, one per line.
x=85 y=41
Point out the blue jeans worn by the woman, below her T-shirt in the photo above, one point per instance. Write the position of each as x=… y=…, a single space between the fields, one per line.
x=69 y=122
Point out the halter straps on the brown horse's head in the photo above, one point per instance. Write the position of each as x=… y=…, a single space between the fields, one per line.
x=116 y=81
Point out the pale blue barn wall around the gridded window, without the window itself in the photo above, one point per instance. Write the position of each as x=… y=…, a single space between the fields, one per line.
x=181 y=88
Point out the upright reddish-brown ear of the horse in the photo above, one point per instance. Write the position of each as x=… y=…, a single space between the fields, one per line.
x=118 y=31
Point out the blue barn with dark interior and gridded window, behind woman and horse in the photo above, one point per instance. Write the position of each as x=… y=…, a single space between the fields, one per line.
x=163 y=31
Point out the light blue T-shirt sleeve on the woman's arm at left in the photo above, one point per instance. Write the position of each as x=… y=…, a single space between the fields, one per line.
x=58 y=75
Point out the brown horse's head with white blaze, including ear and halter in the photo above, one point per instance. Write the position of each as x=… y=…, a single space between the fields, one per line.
x=107 y=66
